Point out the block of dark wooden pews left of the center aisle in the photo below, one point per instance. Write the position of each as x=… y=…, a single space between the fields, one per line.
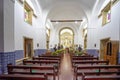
x=39 y=68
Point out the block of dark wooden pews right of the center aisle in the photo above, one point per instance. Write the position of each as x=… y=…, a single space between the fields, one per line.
x=91 y=68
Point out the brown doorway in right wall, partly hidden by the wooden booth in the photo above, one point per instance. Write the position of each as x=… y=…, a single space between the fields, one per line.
x=103 y=48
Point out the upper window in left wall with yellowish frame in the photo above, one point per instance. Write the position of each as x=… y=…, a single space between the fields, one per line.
x=28 y=13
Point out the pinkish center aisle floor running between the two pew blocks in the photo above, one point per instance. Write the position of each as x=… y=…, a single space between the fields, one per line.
x=66 y=68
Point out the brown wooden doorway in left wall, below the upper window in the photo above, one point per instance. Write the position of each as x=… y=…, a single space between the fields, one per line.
x=28 y=47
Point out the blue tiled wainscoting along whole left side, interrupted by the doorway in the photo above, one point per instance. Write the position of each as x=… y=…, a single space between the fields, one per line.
x=11 y=57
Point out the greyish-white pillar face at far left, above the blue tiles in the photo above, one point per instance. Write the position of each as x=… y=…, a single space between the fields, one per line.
x=8 y=25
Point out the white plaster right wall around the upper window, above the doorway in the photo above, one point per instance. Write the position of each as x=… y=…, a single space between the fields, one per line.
x=99 y=32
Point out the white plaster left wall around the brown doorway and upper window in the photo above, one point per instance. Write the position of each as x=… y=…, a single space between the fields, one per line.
x=36 y=31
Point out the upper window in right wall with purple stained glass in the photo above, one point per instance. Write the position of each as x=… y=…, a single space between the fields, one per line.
x=106 y=14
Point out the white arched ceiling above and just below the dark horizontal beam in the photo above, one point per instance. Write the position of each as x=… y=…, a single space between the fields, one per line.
x=67 y=10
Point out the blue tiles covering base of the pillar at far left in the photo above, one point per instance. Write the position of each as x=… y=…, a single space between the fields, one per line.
x=6 y=58
